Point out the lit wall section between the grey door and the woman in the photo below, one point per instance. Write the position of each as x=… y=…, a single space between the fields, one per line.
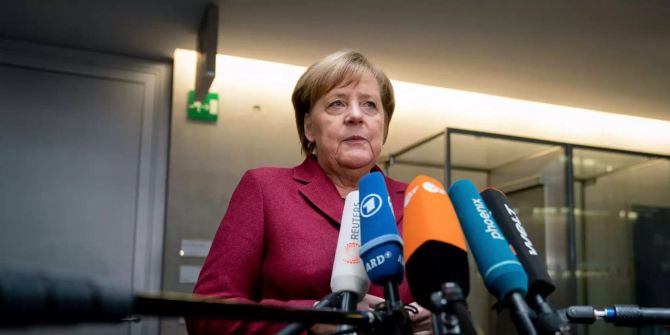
x=208 y=160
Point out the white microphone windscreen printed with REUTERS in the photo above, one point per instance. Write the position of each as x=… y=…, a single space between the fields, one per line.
x=348 y=272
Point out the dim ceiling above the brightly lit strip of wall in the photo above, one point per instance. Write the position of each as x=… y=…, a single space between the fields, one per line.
x=605 y=55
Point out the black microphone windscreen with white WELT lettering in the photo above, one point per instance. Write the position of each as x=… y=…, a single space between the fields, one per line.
x=539 y=281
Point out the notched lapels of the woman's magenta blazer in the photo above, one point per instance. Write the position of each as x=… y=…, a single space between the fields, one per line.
x=323 y=195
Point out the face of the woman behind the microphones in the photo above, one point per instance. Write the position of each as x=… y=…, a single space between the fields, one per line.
x=347 y=125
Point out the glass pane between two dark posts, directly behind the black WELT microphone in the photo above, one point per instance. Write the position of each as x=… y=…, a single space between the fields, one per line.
x=533 y=177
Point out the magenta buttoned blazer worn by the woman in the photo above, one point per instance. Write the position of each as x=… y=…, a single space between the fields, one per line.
x=276 y=244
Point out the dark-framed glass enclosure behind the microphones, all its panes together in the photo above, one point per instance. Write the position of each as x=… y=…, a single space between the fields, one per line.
x=622 y=219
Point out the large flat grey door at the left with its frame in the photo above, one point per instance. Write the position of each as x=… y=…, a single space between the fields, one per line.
x=82 y=168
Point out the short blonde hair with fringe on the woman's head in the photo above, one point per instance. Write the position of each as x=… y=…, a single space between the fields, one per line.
x=338 y=69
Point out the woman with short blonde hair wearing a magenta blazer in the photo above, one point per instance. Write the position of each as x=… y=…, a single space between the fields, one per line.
x=277 y=240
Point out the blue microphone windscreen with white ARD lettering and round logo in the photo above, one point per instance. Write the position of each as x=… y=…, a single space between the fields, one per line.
x=381 y=245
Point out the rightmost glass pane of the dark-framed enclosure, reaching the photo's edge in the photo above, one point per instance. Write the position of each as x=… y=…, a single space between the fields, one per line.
x=624 y=229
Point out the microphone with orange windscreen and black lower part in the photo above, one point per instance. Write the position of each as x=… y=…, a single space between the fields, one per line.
x=435 y=251
